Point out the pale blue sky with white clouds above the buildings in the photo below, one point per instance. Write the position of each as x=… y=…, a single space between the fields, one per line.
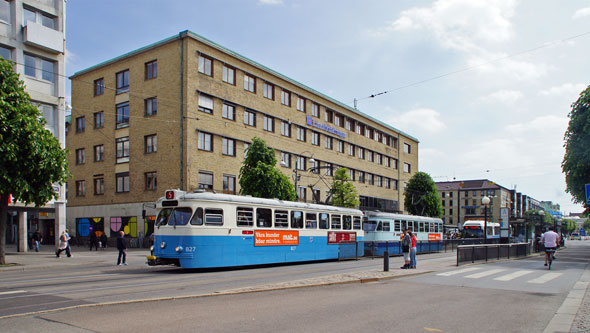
x=486 y=86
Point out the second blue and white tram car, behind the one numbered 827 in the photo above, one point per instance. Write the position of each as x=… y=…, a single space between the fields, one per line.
x=384 y=230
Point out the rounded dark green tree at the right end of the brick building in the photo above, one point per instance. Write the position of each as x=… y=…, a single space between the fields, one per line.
x=421 y=197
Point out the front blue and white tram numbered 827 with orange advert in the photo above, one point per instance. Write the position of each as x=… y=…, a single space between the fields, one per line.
x=204 y=229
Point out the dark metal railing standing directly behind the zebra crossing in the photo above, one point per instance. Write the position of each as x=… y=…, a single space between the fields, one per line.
x=480 y=252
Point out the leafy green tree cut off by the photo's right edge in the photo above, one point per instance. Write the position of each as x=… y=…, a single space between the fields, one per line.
x=576 y=162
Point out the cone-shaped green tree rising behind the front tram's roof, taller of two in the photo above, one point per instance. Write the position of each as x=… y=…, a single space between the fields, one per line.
x=259 y=177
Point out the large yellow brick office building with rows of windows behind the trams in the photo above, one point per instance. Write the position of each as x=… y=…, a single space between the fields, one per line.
x=180 y=113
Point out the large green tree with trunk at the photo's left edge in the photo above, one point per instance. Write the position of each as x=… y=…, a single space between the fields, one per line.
x=31 y=158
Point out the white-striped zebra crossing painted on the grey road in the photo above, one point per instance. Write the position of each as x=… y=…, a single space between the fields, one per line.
x=503 y=274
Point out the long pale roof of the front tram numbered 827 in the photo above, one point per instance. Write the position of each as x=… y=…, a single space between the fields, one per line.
x=230 y=198
